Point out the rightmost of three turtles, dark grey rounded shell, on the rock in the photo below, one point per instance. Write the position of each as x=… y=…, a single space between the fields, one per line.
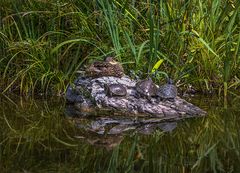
x=167 y=91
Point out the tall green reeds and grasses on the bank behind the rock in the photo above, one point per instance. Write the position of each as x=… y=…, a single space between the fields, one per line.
x=43 y=43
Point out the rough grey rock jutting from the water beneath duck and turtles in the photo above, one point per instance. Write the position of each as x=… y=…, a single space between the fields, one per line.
x=89 y=92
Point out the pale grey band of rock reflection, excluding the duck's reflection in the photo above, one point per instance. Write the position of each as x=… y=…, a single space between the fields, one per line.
x=114 y=126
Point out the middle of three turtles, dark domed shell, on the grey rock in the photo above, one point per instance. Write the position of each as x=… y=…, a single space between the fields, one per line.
x=146 y=88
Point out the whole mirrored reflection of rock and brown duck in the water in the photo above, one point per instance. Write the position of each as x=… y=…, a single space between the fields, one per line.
x=105 y=130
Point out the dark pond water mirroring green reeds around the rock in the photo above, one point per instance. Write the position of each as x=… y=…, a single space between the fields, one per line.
x=36 y=136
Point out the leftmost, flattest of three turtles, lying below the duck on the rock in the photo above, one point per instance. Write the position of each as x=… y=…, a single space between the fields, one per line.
x=115 y=90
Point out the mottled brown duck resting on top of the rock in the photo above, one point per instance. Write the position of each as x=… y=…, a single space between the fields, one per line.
x=109 y=67
